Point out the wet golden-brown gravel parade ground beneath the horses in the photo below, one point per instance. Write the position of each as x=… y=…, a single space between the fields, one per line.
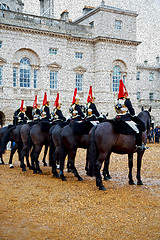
x=34 y=206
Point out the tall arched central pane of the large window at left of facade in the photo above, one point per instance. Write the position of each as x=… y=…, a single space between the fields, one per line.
x=25 y=72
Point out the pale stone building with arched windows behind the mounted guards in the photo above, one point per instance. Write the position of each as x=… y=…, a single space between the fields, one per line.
x=41 y=54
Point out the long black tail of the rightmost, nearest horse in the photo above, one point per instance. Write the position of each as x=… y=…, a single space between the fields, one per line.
x=92 y=153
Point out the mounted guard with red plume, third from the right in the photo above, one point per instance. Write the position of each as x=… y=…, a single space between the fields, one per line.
x=75 y=109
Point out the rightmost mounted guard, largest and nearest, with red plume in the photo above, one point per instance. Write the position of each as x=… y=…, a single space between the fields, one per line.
x=126 y=112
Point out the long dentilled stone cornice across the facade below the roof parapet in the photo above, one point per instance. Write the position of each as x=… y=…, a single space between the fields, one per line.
x=68 y=36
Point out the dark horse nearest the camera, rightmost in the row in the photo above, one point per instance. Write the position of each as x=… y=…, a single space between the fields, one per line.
x=105 y=140
